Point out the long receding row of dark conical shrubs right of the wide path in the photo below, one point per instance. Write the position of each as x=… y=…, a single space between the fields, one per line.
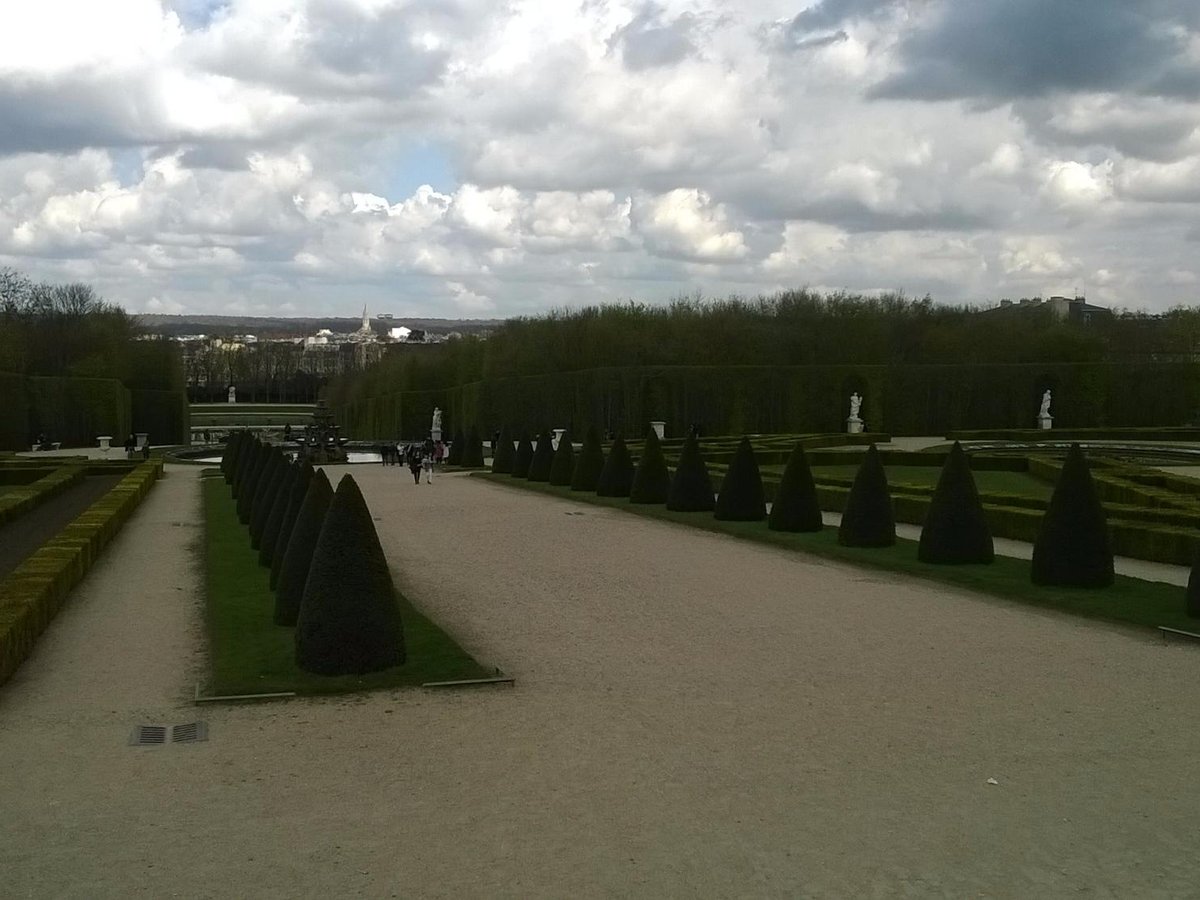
x=1072 y=548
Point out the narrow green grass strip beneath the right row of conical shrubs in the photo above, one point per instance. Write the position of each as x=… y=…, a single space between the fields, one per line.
x=1131 y=602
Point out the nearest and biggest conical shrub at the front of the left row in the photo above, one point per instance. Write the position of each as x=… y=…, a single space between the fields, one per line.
x=350 y=622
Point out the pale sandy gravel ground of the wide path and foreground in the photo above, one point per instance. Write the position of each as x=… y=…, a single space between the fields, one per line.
x=694 y=717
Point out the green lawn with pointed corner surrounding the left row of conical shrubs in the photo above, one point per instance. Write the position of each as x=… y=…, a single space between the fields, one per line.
x=250 y=655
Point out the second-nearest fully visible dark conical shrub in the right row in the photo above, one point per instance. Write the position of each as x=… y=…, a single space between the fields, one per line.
x=956 y=530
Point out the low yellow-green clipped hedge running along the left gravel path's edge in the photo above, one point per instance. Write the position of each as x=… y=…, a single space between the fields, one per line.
x=37 y=590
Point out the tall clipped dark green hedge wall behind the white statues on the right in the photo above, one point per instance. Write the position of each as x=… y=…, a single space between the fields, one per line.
x=731 y=400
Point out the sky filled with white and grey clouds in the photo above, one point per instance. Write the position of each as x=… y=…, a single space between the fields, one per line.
x=479 y=159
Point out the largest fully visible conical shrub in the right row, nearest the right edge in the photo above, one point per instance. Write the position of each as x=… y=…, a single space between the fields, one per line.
x=1073 y=549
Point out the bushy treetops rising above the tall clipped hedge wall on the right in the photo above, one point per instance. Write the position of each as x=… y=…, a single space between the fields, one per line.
x=791 y=328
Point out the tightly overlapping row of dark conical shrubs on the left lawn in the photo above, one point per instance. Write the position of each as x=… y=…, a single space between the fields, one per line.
x=328 y=569
